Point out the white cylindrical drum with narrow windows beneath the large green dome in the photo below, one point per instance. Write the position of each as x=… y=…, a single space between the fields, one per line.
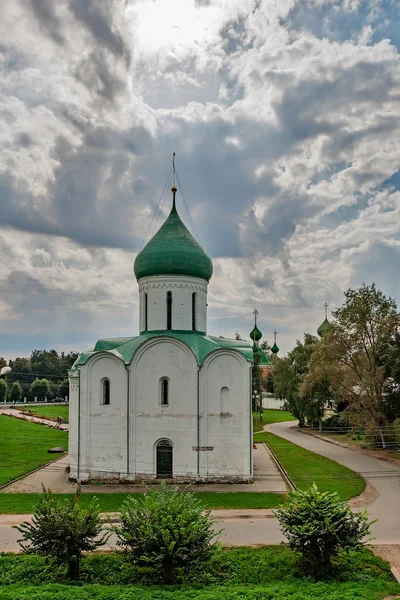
x=182 y=289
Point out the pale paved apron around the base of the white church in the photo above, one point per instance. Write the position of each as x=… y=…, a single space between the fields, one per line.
x=54 y=476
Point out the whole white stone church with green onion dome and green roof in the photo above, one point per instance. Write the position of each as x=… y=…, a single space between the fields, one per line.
x=172 y=402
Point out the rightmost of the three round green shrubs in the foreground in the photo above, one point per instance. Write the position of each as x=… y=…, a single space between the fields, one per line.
x=318 y=526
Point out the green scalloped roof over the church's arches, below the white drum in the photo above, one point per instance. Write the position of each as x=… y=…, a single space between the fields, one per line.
x=200 y=343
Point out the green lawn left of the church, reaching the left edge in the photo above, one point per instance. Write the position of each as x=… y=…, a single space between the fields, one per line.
x=24 y=445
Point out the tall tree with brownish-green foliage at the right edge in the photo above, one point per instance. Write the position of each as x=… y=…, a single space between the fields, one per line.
x=352 y=357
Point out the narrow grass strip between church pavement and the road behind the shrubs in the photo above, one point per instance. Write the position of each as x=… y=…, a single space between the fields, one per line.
x=22 y=503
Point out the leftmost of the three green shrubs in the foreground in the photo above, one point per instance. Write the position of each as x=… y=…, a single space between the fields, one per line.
x=62 y=531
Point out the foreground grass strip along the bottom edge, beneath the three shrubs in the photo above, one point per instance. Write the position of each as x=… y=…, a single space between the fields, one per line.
x=240 y=573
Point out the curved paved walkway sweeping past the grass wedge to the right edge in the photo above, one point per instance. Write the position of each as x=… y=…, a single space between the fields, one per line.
x=384 y=505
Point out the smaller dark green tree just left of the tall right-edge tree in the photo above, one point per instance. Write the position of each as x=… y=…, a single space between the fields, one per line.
x=288 y=376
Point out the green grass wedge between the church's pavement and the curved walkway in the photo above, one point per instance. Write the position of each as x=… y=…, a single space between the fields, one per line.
x=305 y=467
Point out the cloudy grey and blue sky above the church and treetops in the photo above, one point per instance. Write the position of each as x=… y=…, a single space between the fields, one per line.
x=285 y=117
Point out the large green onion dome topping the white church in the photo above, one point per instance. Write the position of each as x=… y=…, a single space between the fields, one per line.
x=173 y=251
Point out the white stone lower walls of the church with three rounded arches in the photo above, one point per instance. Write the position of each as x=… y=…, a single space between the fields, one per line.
x=210 y=430
